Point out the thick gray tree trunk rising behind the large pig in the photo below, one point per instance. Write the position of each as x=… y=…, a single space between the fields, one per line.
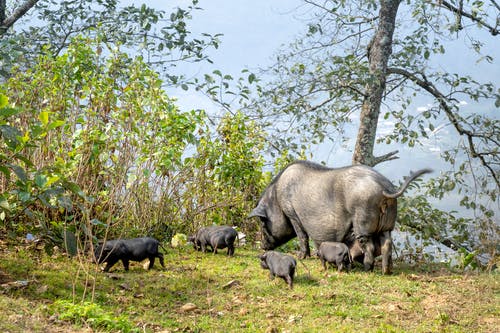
x=379 y=51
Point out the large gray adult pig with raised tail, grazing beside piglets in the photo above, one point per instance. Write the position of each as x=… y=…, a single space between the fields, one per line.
x=311 y=201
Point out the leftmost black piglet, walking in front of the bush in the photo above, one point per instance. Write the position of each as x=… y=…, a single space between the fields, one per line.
x=135 y=249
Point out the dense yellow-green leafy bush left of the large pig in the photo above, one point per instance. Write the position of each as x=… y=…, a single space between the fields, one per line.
x=94 y=147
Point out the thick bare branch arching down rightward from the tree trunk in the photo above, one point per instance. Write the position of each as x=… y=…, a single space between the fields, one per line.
x=443 y=102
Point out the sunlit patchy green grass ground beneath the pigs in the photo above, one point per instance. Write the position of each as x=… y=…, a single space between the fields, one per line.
x=214 y=293
